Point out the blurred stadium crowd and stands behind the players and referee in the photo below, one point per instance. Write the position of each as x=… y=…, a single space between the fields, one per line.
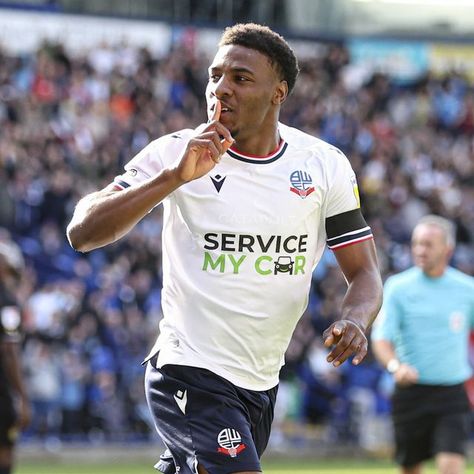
x=85 y=84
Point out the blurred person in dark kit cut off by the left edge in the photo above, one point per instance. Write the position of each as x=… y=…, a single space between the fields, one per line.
x=14 y=404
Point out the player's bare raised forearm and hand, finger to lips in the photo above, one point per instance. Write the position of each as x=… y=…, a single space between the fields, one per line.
x=105 y=216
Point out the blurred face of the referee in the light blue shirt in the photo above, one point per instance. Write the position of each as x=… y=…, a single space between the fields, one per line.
x=430 y=250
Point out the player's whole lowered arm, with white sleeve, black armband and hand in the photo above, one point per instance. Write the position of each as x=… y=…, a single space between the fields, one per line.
x=349 y=236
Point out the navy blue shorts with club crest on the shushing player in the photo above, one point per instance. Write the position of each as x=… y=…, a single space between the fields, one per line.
x=204 y=419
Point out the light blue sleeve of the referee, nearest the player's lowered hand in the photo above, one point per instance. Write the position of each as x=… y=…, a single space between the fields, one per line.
x=387 y=323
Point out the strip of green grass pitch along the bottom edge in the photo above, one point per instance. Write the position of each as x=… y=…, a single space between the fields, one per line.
x=269 y=466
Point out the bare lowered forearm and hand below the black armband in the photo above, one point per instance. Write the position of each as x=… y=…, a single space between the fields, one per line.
x=361 y=303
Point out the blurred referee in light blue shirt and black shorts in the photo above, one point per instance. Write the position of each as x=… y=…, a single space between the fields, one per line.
x=422 y=339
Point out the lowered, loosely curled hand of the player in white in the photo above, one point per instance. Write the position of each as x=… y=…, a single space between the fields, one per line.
x=346 y=339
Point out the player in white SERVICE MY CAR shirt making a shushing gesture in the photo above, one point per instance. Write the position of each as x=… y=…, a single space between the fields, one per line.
x=249 y=206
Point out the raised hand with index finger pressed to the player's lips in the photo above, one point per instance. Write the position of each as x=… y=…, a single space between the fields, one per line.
x=205 y=149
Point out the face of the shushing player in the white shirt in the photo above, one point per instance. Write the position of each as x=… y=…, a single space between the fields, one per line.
x=249 y=89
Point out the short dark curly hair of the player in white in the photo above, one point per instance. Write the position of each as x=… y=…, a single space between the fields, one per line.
x=268 y=42
